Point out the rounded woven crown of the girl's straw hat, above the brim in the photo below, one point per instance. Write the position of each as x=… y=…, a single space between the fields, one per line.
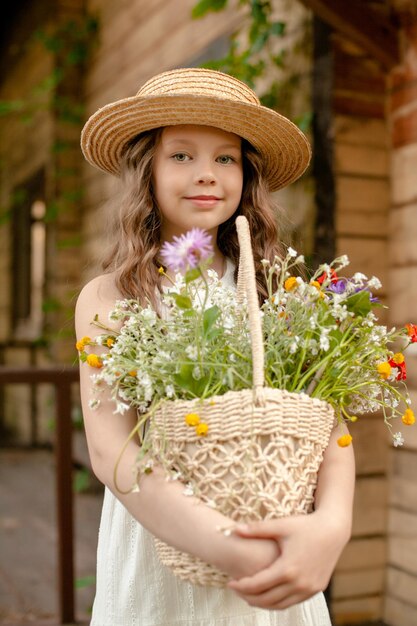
x=199 y=82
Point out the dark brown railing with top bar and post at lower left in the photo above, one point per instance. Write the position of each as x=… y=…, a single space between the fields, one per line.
x=62 y=379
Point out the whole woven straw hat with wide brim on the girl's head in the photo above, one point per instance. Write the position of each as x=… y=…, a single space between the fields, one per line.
x=197 y=96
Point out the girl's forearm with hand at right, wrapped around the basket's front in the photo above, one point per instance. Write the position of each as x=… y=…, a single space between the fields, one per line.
x=310 y=545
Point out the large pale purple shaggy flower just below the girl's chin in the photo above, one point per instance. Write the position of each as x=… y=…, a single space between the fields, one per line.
x=188 y=250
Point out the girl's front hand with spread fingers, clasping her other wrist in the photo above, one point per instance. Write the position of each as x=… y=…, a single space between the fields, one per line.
x=310 y=546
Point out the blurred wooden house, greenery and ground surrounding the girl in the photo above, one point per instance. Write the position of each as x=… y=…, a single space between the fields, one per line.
x=346 y=73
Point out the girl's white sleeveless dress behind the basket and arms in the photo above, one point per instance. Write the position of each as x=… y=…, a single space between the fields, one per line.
x=134 y=589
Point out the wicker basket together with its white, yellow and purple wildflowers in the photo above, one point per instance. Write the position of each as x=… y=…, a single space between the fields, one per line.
x=239 y=402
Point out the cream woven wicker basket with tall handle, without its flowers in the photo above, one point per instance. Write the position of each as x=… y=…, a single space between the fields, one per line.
x=264 y=447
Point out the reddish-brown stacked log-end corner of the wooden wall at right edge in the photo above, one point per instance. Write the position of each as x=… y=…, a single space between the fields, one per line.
x=401 y=596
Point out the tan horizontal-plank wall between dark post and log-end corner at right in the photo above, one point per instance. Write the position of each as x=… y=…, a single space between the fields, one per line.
x=361 y=168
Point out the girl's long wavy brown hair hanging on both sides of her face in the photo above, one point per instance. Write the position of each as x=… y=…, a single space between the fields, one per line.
x=136 y=236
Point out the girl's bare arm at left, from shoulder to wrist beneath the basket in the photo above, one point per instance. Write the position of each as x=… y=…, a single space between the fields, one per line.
x=160 y=506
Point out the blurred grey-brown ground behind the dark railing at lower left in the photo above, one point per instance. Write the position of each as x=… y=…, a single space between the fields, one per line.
x=28 y=540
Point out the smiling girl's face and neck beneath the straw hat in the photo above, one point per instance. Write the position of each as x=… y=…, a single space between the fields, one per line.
x=197 y=178
